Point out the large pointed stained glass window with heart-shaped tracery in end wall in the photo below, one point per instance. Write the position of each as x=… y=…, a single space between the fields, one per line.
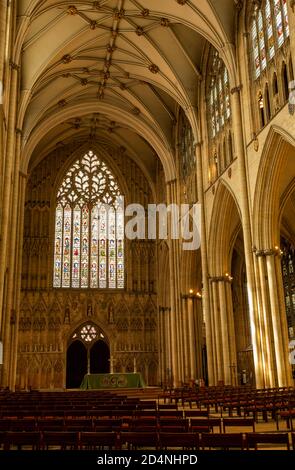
x=89 y=228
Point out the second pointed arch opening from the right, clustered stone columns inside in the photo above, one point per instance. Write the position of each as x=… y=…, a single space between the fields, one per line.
x=229 y=327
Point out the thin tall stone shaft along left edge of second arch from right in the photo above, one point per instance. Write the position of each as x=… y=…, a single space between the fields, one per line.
x=212 y=372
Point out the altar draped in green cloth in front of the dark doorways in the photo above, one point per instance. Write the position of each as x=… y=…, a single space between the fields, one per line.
x=105 y=381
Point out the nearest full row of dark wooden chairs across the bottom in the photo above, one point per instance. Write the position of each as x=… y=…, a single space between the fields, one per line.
x=134 y=441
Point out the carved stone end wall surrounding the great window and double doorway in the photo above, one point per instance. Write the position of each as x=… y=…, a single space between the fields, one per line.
x=49 y=316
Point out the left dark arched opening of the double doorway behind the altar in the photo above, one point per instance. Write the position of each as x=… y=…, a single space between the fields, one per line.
x=76 y=364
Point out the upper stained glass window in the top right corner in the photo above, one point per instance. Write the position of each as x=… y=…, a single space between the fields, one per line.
x=270 y=29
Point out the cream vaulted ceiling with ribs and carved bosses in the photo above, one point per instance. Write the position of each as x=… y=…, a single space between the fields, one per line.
x=114 y=71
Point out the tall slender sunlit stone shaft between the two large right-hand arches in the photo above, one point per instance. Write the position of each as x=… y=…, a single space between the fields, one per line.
x=245 y=210
